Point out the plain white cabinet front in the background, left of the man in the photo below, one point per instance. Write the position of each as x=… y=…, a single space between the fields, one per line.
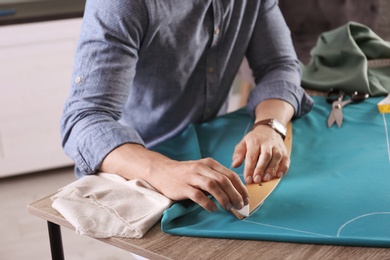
x=35 y=71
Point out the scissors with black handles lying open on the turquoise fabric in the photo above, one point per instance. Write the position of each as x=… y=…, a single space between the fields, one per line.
x=336 y=98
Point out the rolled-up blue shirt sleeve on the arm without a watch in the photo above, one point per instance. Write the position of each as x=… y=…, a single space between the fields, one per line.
x=103 y=72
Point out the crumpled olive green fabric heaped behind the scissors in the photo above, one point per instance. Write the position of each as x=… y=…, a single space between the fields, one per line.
x=340 y=60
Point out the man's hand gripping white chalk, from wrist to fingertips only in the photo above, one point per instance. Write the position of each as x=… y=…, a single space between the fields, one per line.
x=196 y=179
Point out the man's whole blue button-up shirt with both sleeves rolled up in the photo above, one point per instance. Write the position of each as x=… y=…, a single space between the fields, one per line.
x=144 y=70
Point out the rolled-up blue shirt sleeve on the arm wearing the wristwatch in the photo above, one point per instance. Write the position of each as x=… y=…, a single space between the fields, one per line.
x=275 y=66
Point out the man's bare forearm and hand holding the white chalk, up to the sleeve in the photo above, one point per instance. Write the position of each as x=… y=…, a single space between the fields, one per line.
x=179 y=180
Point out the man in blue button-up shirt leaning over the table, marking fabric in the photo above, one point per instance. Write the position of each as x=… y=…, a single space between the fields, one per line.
x=144 y=70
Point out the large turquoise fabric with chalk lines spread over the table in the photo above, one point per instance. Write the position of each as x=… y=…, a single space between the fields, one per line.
x=336 y=192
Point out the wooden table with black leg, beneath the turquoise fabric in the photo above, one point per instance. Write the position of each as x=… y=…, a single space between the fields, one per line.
x=158 y=245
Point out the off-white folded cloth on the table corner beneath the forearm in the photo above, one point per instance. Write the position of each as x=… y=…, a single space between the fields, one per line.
x=107 y=205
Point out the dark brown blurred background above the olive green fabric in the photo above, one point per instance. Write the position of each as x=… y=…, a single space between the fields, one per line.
x=307 y=19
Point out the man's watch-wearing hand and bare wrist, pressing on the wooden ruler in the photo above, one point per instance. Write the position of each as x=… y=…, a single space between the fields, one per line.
x=263 y=149
